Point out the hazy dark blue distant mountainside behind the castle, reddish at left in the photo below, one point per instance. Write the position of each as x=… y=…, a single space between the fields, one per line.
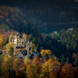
x=28 y=19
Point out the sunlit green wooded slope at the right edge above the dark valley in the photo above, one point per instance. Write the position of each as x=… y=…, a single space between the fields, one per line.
x=68 y=38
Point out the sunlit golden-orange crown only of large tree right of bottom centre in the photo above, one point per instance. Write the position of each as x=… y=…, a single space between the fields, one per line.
x=51 y=66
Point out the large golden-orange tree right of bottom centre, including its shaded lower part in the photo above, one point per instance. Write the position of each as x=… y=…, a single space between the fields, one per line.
x=50 y=69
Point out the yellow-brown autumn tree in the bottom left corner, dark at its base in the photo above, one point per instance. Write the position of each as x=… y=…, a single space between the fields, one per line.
x=7 y=67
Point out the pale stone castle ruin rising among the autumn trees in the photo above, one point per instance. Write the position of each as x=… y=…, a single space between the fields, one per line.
x=22 y=46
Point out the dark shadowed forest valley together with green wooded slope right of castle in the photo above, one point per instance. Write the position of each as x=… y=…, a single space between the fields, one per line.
x=62 y=43
